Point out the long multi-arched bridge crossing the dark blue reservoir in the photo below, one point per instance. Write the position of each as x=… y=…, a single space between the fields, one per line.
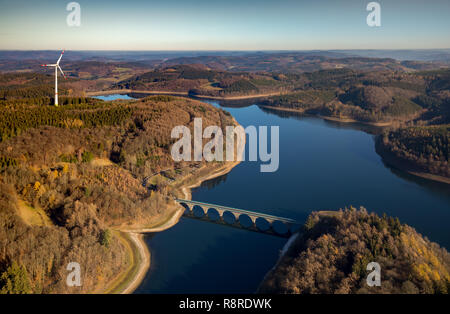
x=245 y=219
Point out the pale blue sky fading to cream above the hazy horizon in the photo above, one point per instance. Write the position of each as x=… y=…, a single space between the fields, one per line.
x=224 y=25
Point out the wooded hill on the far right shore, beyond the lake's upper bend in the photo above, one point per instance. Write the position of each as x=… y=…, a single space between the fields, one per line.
x=371 y=96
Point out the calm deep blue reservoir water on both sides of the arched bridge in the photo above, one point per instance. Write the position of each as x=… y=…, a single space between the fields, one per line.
x=323 y=166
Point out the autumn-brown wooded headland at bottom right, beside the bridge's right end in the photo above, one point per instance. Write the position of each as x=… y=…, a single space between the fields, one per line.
x=332 y=251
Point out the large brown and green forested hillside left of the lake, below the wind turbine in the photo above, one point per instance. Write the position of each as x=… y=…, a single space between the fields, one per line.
x=71 y=175
